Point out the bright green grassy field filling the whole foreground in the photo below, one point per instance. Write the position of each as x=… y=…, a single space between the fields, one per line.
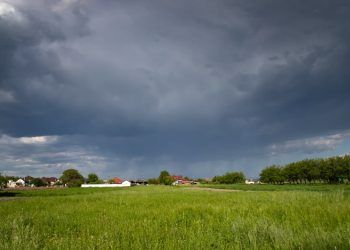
x=160 y=217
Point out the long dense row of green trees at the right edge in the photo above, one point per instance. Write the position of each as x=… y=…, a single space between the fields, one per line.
x=330 y=170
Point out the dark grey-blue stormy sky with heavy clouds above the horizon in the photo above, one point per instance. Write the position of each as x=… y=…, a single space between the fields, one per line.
x=198 y=87
